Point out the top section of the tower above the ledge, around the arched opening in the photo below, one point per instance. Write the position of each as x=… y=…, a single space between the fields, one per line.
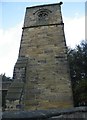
x=33 y=15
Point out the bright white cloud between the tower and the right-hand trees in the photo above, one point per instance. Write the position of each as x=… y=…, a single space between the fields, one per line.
x=74 y=30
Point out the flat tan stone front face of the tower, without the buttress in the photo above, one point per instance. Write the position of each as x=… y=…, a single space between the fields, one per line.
x=47 y=70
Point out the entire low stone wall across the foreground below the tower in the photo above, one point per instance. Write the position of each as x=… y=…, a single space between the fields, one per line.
x=52 y=114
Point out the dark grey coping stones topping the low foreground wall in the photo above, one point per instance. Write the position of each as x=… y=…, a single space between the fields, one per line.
x=40 y=114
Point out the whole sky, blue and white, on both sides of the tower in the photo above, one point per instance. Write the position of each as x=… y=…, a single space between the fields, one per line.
x=12 y=15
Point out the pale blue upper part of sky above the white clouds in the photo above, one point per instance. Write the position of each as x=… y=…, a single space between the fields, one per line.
x=13 y=12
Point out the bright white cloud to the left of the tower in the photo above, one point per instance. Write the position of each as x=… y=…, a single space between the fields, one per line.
x=9 y=47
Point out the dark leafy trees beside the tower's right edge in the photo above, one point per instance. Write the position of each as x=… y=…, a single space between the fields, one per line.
x=78 y=70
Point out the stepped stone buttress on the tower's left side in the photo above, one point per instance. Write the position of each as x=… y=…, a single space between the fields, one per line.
x=15 y=92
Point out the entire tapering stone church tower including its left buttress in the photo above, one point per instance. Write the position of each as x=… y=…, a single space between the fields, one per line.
x=41 y=74
